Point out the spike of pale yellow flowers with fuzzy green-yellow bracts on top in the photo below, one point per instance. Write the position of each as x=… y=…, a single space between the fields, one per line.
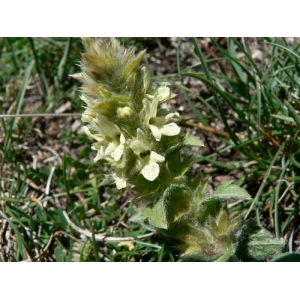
x=125 y=115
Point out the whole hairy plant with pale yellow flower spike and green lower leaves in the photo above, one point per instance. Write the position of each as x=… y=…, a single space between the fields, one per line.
x=136 y=133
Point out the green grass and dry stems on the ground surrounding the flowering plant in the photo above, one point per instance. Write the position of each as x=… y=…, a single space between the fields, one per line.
x=46 y=164
